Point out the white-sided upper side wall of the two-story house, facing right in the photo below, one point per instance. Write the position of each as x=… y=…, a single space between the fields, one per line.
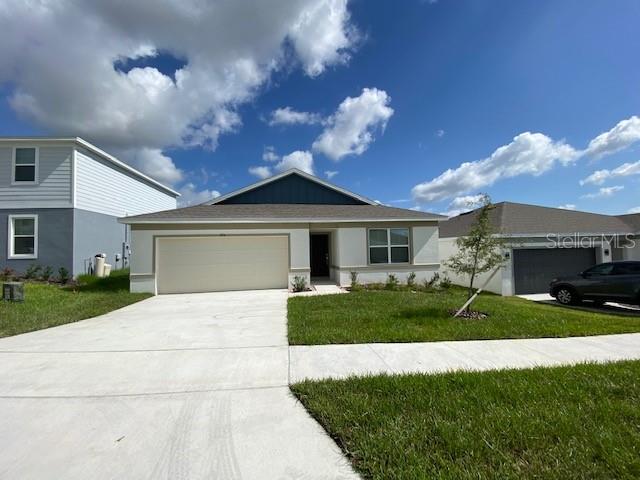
x=102 y=187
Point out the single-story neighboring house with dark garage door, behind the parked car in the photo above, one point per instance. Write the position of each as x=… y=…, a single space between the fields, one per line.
x=542 y=243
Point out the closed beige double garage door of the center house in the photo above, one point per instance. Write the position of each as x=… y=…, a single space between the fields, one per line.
x=208 y=264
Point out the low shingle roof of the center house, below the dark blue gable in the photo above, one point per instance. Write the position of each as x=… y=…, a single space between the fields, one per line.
x=281 y=213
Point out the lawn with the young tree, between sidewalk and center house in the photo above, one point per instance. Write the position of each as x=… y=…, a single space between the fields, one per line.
x=403 y=316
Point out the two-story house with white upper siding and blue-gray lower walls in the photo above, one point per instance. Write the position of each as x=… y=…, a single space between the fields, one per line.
x=60 y=199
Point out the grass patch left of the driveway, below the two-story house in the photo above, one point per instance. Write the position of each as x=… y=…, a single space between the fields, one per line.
x=49 y=305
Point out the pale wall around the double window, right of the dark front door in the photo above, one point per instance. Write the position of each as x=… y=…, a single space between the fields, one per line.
x=351 y=254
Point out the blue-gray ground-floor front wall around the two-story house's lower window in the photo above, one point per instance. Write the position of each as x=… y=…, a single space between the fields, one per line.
x=55 y=238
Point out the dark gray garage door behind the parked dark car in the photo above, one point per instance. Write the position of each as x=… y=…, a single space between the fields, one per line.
x=534 y=268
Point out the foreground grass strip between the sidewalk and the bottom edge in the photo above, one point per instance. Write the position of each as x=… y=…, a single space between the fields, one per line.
x=569 y=422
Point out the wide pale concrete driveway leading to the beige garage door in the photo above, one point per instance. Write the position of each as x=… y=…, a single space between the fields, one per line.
x=177 y=387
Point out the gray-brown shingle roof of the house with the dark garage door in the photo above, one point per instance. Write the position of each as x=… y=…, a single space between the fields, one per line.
x=521 y=219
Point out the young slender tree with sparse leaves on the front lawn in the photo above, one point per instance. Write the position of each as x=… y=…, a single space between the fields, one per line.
x=480 y=250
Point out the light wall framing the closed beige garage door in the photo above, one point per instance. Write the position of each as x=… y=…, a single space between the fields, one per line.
x=143 y=274
